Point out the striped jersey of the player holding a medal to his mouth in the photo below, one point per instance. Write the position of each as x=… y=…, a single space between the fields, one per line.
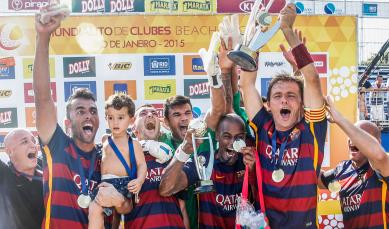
x=218 y=209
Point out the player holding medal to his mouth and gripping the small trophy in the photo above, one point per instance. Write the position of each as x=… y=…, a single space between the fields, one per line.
x=216 y=209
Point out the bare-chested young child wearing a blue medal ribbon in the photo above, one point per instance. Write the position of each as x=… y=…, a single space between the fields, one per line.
x=123 y=160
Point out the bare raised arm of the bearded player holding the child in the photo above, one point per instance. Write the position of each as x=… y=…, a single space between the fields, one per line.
x=46 y=113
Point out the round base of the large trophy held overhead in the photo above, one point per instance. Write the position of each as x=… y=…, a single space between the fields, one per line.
x=244 y=57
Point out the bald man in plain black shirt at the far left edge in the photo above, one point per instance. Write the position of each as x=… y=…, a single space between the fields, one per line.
x=21 y=198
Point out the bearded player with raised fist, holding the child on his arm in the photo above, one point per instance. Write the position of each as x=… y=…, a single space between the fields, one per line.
x=71 y=164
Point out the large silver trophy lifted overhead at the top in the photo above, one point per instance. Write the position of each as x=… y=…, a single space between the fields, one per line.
x=256 y=35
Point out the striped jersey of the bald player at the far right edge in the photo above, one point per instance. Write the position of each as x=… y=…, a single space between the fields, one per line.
x=361 y=196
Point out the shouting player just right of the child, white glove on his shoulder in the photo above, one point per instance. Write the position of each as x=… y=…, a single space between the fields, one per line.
x=154 y=210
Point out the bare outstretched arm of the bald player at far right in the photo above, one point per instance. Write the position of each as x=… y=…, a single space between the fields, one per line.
x=369 y=146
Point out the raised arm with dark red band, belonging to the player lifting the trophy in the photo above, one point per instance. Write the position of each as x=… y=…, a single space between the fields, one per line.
x=313 y=96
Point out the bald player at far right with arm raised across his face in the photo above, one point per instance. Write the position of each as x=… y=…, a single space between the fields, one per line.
x=361 y=181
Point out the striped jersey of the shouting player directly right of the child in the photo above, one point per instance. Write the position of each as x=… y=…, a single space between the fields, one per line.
x=153 y=210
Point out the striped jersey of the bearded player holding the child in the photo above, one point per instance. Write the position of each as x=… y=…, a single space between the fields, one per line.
x=62 y=182
